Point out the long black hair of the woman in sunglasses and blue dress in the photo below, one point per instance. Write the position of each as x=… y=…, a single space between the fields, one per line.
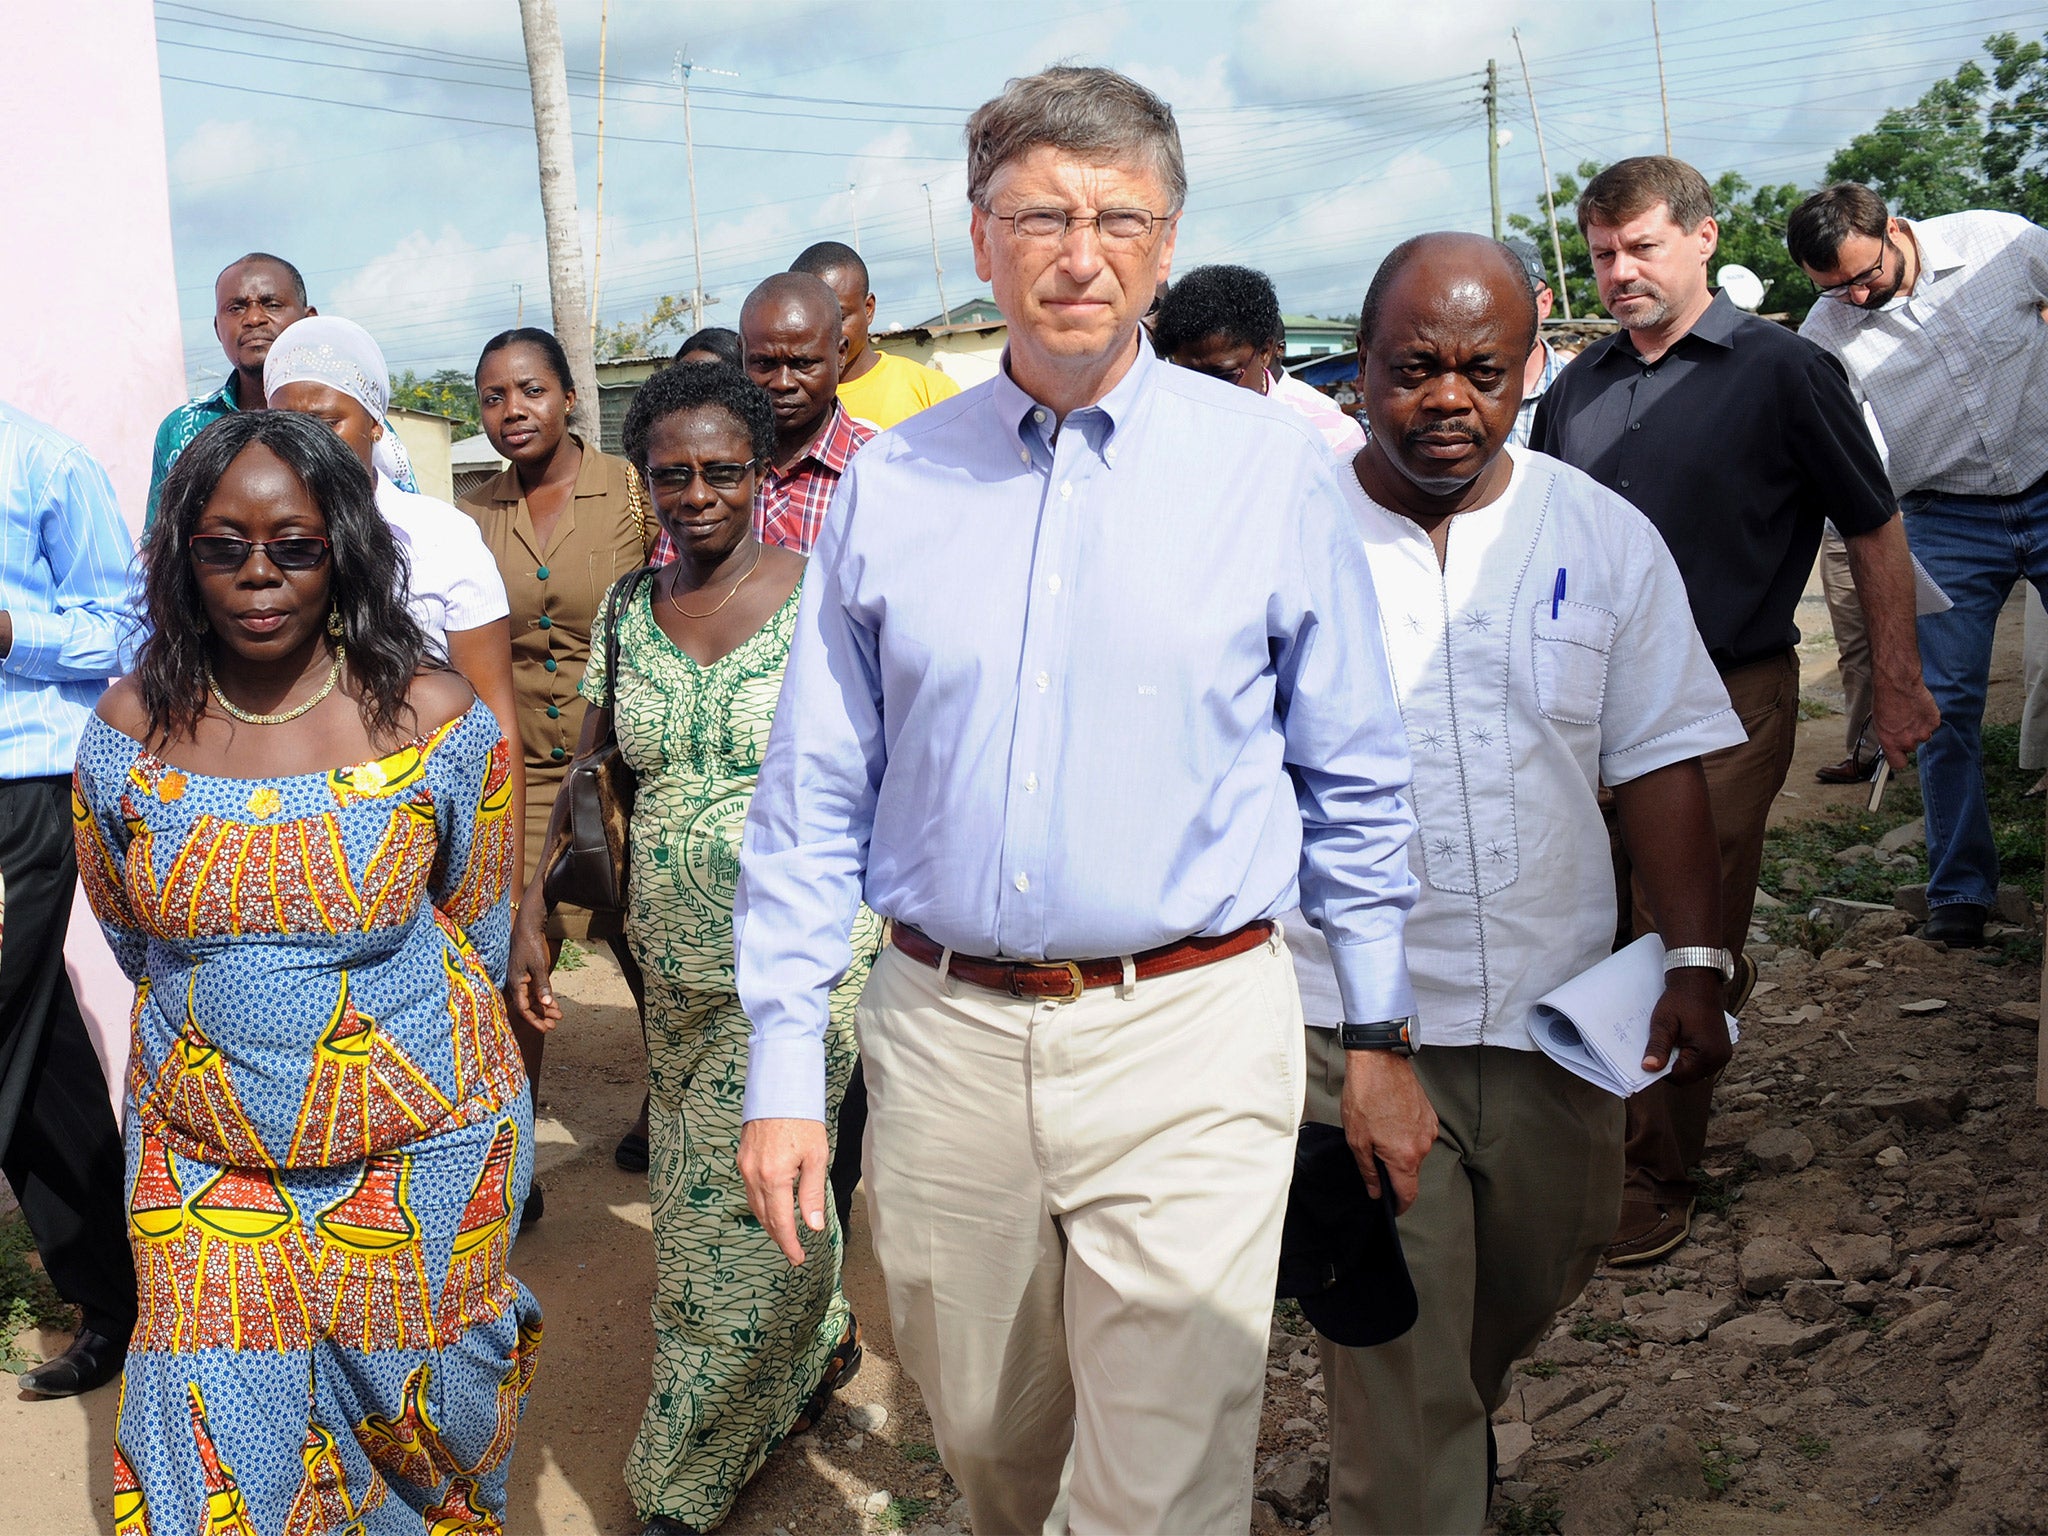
x=368 y=572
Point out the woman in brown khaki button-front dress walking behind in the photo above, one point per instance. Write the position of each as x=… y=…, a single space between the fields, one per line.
x=564 y=523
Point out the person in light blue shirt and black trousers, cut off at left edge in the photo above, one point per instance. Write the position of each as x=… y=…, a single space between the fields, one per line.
x=67 y=628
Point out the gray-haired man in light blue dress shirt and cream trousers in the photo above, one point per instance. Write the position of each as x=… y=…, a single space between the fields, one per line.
x=1086 y=689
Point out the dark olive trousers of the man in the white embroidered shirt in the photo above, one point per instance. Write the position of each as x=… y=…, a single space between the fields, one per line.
x=1519 y=1197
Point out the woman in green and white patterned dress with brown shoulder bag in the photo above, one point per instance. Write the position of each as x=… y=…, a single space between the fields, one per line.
x=749 y=1349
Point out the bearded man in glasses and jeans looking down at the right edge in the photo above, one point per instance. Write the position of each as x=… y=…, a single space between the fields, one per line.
x=1940 y=329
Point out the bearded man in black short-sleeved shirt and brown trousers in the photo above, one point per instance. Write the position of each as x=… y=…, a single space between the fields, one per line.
x=1738 y=439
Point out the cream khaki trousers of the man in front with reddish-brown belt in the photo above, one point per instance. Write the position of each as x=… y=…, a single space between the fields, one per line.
x=1078 y=1209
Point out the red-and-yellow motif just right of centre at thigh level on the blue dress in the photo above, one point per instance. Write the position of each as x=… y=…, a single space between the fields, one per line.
x=374 y=1263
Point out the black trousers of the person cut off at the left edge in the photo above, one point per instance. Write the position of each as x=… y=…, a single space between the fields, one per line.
x=58 y=1142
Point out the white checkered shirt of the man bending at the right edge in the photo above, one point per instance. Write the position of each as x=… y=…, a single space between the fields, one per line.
x=1957 y=374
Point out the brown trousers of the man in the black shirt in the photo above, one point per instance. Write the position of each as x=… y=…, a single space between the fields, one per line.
x=1668 y=1123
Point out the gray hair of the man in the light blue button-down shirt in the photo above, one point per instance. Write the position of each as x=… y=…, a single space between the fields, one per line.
x=1093 y=114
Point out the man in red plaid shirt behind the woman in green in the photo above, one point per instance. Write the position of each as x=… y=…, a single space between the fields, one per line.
x=792 y=339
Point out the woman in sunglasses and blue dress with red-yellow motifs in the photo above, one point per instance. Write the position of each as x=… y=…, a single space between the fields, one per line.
x=300 y=841
